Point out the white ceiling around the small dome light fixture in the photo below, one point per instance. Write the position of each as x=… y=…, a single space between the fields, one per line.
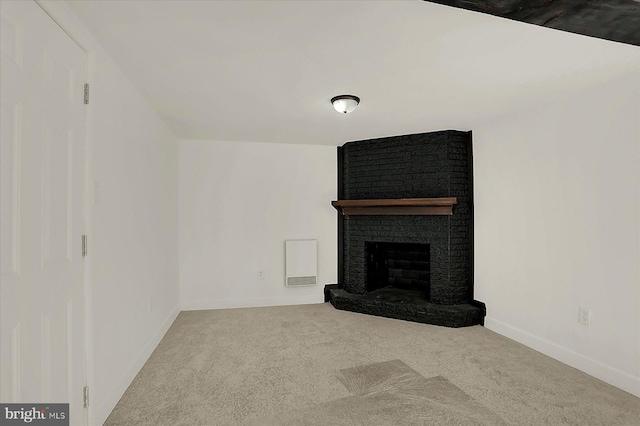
x=265 y=71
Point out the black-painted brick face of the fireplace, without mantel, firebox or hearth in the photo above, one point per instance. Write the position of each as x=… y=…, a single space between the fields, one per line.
x=411 y=166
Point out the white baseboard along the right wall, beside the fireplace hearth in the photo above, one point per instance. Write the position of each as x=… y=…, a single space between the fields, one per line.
x=594 y=368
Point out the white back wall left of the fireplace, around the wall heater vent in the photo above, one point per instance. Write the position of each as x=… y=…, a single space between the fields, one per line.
x=239 y=202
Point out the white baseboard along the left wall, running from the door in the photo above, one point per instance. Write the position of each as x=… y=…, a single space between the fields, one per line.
x=102 y=412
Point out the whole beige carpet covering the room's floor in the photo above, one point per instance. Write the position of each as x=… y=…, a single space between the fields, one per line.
x=314 y=365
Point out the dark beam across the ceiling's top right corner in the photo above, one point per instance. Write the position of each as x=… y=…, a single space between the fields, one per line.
x=615 y=20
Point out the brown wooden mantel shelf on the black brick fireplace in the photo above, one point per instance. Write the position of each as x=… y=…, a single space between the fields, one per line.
x=401 y=206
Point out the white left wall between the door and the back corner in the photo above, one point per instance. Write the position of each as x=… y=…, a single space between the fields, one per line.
x=133 y=230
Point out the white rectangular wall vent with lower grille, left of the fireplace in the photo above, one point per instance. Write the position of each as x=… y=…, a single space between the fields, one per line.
x=301 y=262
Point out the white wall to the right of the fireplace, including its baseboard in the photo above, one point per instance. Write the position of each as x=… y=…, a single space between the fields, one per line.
x=557 y=226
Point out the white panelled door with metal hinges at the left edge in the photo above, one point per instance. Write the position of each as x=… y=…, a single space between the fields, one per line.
x=42 y=348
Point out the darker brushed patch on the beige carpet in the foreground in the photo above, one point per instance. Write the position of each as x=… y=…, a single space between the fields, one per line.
x=390 y=393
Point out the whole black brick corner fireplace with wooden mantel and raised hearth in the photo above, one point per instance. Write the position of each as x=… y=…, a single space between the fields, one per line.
x=402 y=255
